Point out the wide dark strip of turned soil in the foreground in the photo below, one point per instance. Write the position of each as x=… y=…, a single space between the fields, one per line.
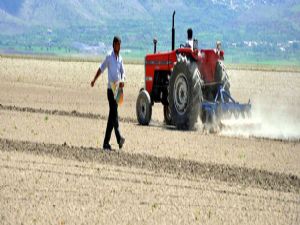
x=183 y=168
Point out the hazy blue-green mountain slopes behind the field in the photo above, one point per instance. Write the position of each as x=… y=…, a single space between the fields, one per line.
x=27 y=24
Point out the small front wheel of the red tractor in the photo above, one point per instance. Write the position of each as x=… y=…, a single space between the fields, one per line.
x=143 y=108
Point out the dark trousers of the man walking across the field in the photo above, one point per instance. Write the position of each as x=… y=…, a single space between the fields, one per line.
x=112 y=118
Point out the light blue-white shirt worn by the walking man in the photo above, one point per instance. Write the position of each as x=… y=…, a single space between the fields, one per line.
x=115 y=67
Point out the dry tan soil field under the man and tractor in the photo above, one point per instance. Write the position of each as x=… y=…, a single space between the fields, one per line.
x=53 y=170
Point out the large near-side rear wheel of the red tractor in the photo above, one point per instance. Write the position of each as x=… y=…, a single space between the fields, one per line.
x=185 y=94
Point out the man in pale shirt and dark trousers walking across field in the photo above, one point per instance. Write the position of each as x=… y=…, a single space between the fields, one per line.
x=116 y=74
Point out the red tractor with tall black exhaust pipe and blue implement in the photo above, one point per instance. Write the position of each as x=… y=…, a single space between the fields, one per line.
x=187 y=81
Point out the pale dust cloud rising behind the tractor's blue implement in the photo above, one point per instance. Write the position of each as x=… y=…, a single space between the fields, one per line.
x=269 y=120
